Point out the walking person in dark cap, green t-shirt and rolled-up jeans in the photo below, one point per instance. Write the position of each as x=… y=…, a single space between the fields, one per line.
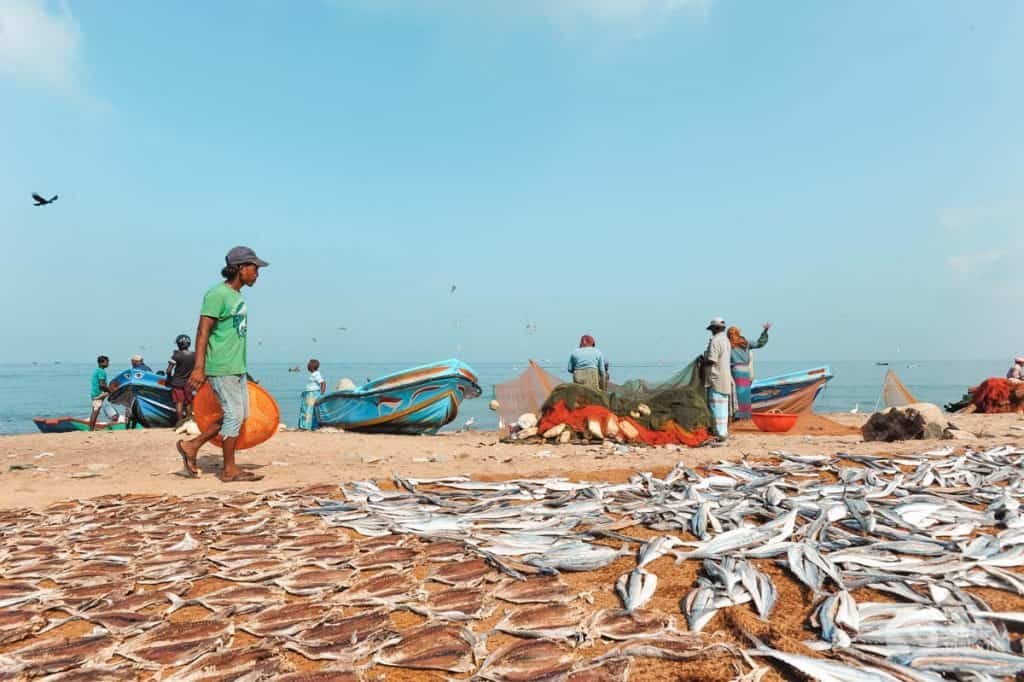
x=221 y=359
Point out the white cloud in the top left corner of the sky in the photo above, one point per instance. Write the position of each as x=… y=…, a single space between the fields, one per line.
x=39 y=44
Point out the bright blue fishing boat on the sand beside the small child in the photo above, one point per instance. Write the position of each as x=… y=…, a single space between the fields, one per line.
x=420 y=400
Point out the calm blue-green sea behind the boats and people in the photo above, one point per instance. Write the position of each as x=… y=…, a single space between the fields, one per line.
x=30 y=391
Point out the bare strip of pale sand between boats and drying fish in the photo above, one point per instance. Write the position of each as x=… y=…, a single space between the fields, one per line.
x=39 y=470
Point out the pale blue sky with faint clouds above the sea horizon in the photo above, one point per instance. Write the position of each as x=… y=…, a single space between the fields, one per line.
x=851 y=172
